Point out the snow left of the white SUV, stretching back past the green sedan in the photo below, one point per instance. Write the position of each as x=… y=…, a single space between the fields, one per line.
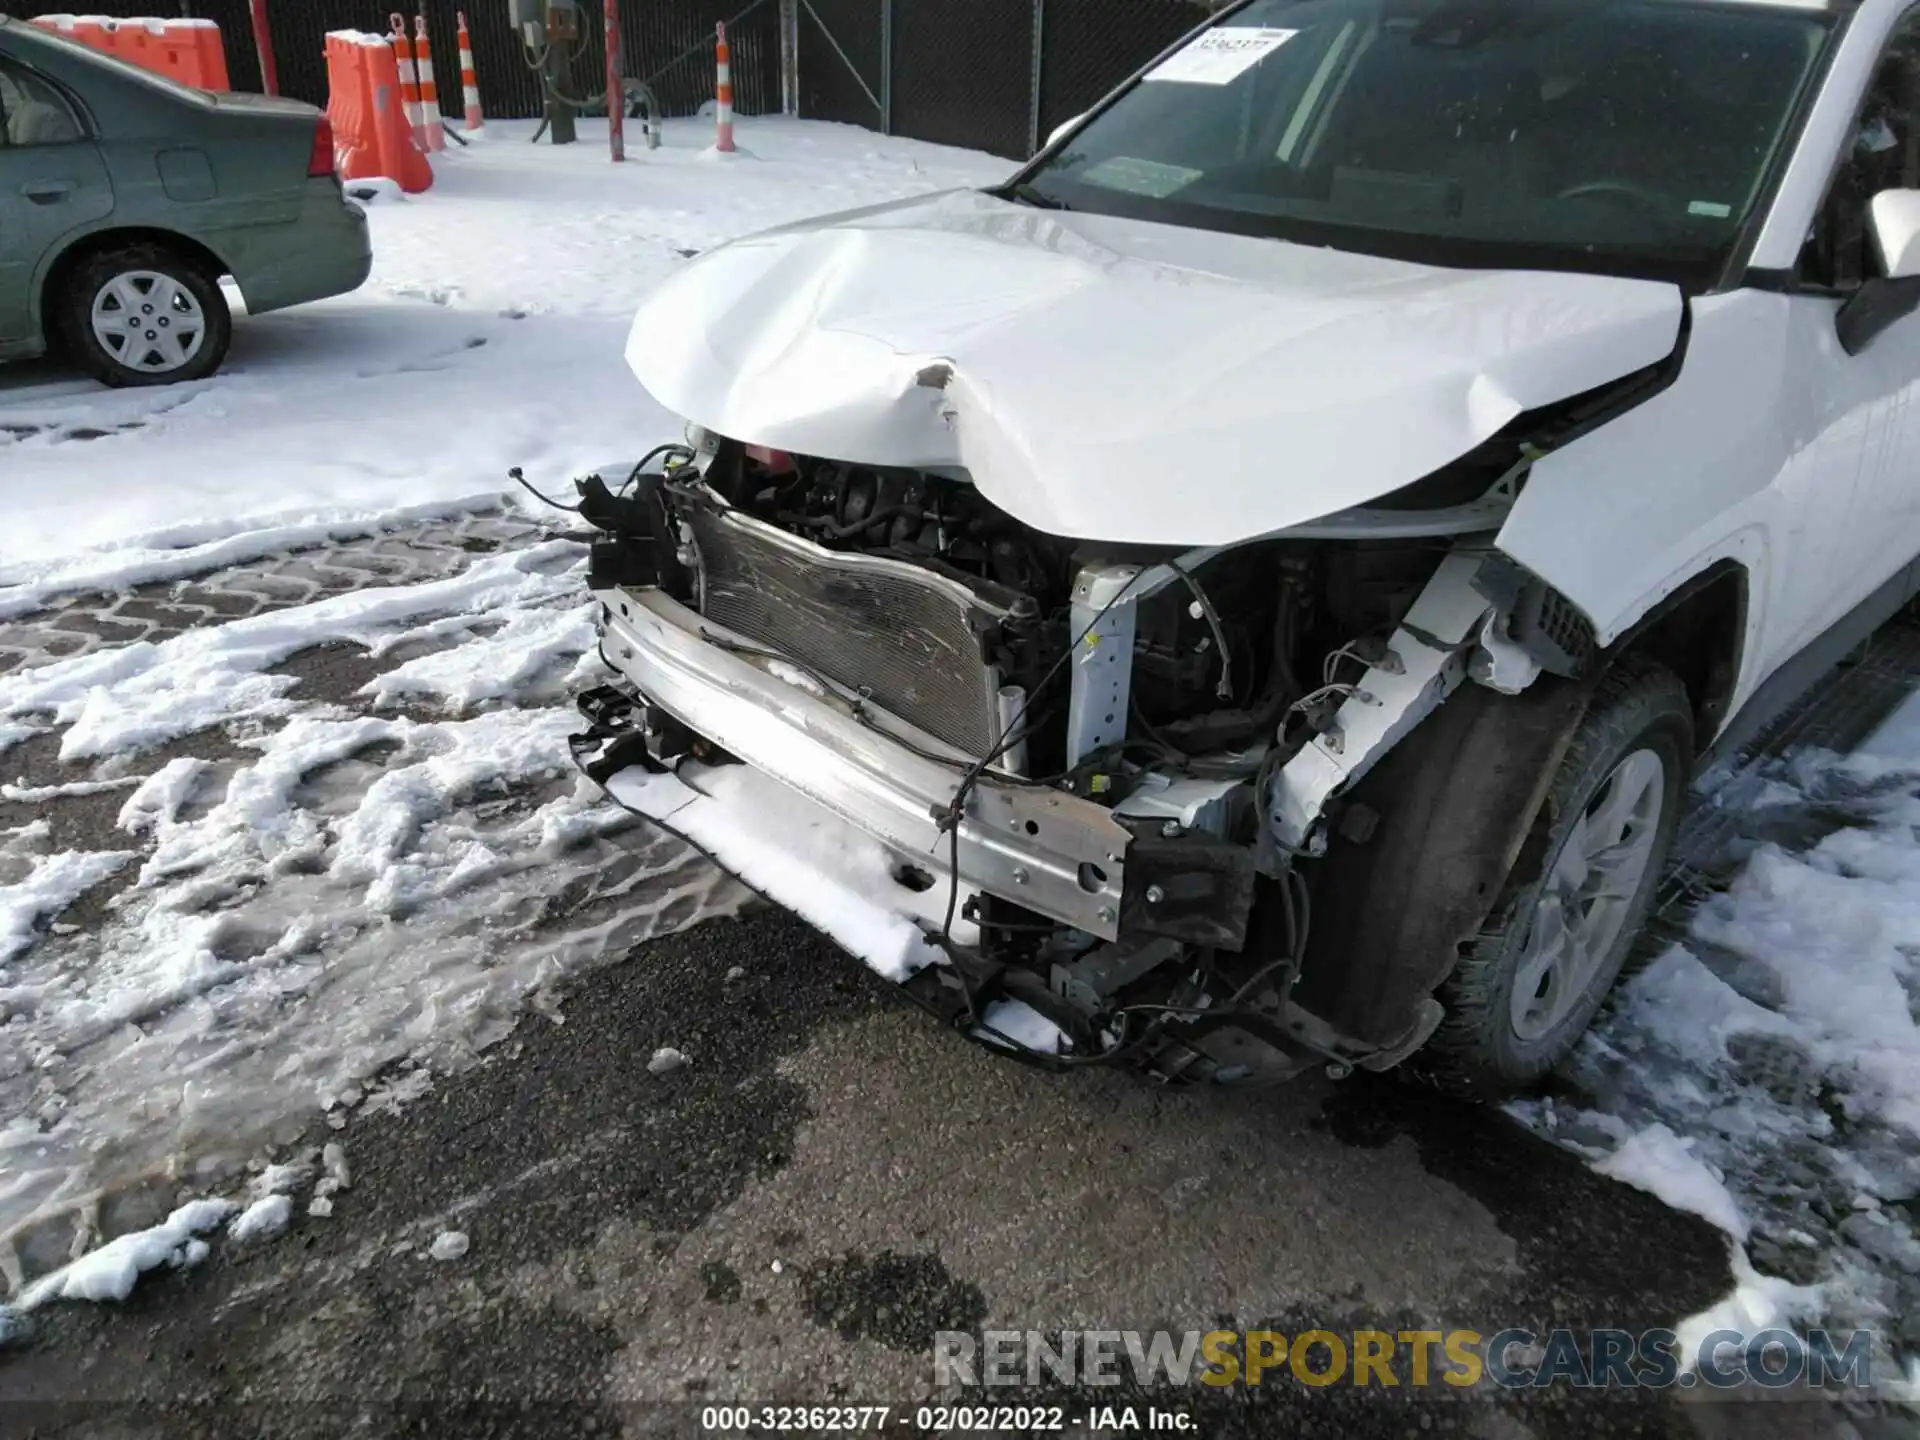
x=352 y=900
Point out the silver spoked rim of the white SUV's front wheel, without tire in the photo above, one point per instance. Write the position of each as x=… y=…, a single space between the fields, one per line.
x=1589 y=892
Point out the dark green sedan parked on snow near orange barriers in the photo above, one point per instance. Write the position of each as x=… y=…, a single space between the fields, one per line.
x=126 y=199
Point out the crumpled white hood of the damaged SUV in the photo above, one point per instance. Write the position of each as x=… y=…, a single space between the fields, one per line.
x=1124 y=381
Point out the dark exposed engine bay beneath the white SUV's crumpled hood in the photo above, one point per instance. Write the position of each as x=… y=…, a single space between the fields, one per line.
x=1224 y=665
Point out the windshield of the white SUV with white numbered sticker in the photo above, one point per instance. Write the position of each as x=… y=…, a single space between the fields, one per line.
x=1618 y=135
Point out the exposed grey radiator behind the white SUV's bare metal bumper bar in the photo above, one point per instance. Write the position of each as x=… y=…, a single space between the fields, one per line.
x=890 y=631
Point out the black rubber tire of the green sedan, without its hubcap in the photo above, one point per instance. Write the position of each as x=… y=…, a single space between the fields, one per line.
x=143 y=368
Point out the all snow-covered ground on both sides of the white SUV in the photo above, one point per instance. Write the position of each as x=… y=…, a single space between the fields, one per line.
x=325 y=892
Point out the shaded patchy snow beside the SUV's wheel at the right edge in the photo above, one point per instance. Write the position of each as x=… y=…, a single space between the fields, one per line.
x=1764 y=1072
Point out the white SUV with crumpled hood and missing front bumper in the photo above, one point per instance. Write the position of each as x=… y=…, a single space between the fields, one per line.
x=1253 y=590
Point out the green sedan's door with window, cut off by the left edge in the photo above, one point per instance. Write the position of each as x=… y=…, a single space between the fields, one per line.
x=53 y=183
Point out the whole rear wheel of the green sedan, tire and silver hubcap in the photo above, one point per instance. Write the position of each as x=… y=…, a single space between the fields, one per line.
x=145 y=316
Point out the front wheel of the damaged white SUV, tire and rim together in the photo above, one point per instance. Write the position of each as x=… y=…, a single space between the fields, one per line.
x=1552 y=948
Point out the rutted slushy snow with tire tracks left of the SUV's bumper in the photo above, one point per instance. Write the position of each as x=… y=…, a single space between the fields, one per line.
x=350 y=853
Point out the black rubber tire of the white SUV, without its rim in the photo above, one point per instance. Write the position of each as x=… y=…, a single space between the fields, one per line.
x=1479 y=1051
